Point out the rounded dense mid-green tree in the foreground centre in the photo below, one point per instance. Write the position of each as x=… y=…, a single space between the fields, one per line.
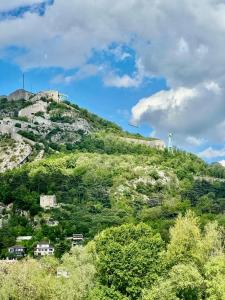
x=128 y=258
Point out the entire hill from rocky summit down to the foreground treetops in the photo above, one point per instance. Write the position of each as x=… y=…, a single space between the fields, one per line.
x=101 y=176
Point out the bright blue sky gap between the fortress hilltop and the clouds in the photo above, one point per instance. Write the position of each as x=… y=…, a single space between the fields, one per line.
x=112 y=103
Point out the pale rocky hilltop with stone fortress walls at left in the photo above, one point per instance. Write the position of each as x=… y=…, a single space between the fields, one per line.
x=46 y=123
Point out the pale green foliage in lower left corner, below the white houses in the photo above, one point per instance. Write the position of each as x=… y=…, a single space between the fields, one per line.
x=37 y=280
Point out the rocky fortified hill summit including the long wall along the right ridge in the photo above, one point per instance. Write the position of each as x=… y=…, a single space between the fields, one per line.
x=32 y=125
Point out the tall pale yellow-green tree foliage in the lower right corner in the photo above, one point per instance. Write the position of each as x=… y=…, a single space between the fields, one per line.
x=195 y=263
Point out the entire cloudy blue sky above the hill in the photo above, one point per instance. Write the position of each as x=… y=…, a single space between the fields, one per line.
x=159 y=64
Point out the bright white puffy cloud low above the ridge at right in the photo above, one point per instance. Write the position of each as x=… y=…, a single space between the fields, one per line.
x=192 y=114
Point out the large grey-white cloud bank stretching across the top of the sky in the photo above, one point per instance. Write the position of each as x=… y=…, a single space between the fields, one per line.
x=175 y=40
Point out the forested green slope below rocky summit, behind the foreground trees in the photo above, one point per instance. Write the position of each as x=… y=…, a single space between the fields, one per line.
x=106 y=182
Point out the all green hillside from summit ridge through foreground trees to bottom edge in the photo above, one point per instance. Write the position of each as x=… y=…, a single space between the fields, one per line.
x=152 y=219
